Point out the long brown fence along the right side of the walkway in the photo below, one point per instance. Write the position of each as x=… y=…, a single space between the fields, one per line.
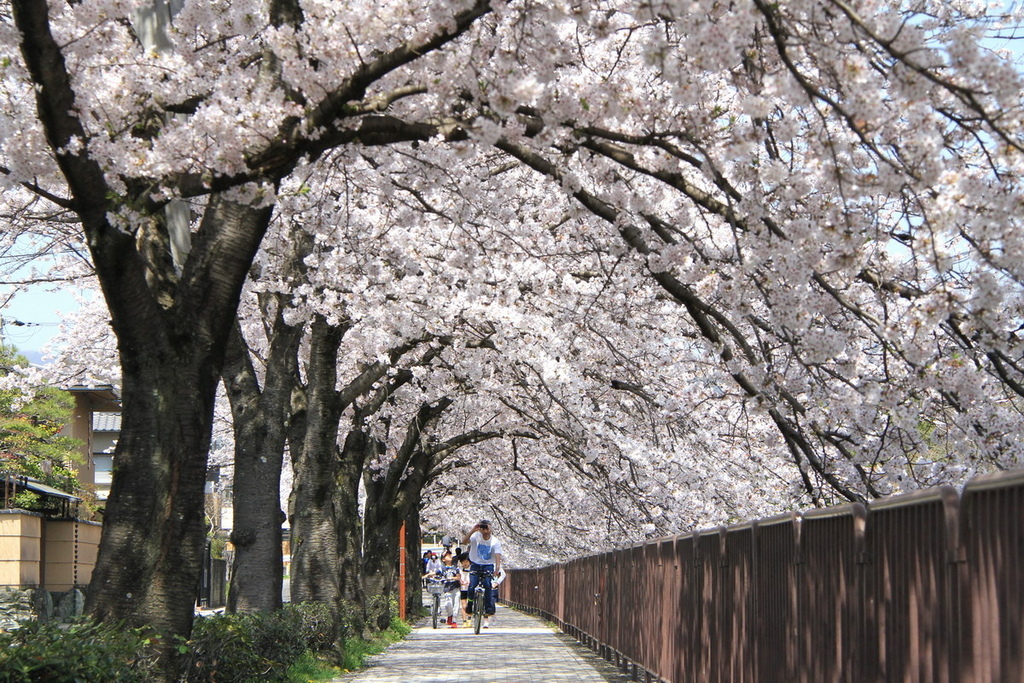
x=920 y=588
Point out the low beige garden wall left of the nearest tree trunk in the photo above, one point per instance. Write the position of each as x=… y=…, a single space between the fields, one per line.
x=57 y=556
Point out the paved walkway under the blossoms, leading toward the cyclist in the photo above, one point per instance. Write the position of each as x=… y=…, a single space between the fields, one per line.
x=518 y=649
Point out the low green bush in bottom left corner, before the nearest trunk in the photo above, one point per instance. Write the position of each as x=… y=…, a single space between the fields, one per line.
x=70 y=654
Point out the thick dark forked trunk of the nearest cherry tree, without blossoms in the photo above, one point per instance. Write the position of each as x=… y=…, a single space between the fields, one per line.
x=148 y=570
